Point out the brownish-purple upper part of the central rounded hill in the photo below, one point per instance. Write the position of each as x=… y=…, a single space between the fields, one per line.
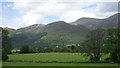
x=62 y=26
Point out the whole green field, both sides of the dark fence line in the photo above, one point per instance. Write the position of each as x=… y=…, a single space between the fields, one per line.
x=52 y=59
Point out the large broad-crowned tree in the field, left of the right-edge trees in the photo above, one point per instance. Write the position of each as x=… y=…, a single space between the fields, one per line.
x=93 y=44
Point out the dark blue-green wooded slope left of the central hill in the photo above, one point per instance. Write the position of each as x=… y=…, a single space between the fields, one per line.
x=26 y=38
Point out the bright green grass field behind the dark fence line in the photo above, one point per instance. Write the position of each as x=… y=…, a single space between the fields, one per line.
x=49 y=57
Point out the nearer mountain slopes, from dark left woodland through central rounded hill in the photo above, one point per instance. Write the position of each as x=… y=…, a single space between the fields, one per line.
x=53 y=34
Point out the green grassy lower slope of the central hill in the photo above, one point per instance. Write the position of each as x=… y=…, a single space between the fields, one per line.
x=56 y=38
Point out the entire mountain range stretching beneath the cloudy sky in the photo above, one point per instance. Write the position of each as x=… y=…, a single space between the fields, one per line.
x=59 y=33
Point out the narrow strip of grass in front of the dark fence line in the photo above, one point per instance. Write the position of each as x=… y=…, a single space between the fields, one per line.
x=56 y=64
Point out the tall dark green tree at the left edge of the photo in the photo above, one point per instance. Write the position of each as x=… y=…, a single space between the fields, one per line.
x=6 y=44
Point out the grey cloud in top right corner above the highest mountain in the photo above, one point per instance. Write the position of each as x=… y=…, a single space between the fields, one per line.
x=106 y=9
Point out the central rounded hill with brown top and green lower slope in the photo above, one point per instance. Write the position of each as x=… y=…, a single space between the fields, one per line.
x=61 y=31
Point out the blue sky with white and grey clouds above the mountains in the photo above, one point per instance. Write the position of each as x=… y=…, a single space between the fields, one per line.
x=22 y=13
